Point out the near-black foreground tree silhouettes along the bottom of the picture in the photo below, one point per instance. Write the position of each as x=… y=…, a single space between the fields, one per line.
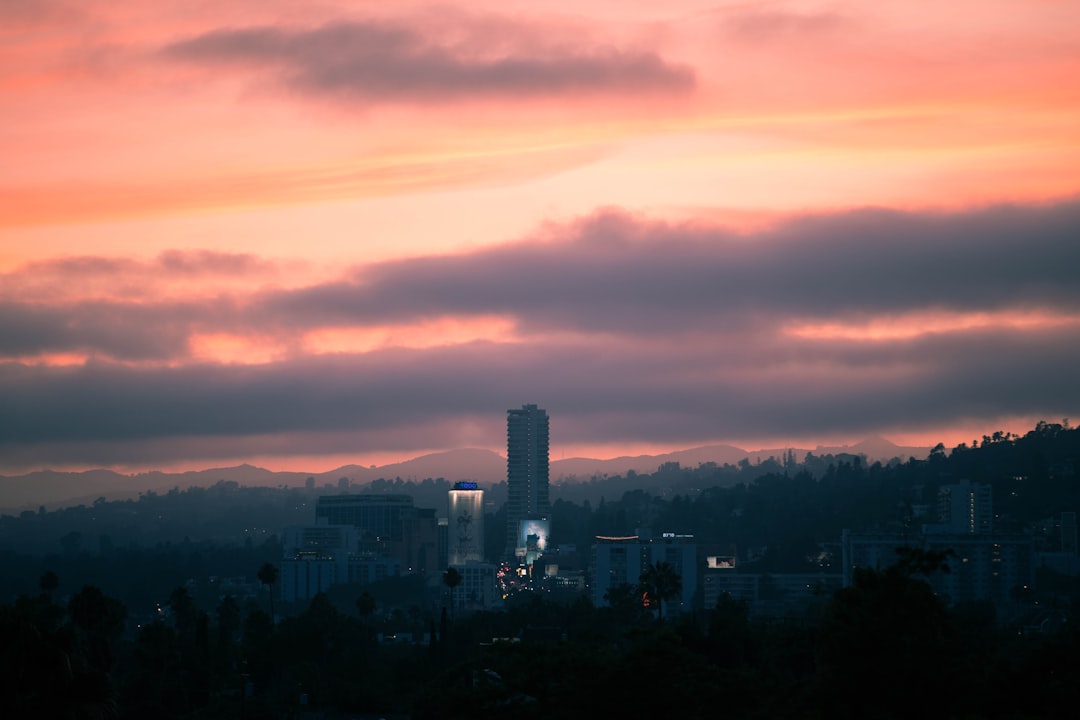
x=887 y=647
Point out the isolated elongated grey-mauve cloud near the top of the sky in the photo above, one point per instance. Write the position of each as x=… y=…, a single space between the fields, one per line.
x=382 y=61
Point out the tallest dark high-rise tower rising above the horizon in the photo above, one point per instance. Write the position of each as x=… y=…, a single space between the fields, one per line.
x=526 y=472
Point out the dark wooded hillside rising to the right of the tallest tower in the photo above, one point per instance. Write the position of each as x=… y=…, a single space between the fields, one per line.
x=794 y=510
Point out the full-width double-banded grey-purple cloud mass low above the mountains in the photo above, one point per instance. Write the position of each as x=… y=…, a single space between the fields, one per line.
x=629 y=331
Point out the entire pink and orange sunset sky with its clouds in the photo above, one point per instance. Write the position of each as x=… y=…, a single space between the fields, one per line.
x=309 y=234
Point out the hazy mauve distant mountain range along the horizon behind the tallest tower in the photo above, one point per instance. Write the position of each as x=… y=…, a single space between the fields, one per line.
x=58 y=490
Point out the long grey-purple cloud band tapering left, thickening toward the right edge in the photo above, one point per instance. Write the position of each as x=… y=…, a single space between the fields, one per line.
x=615 y=275
